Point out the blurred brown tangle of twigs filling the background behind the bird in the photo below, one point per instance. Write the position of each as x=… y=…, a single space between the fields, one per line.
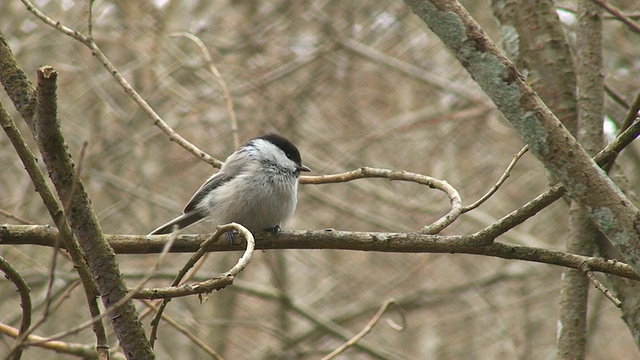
x=293 y=67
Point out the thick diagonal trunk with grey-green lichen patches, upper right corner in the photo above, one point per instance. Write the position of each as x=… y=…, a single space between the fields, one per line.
x=551 y=143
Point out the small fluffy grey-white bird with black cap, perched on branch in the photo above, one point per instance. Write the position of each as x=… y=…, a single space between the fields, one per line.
x=257 y=187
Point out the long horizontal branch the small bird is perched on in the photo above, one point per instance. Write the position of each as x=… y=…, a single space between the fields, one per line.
x=333 y=239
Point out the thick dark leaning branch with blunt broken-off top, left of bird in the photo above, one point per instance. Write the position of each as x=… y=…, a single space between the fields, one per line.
x=84 y=222
